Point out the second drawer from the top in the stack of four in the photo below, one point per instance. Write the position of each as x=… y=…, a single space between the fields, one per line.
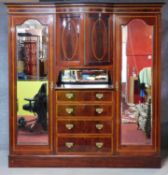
x=84 y=110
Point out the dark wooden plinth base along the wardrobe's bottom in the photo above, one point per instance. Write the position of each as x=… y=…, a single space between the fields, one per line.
x=153 y=161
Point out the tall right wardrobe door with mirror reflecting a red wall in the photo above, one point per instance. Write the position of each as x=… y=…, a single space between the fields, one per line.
x=138 y=73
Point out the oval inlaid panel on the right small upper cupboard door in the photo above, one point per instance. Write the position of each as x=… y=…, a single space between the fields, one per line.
x=99 y=39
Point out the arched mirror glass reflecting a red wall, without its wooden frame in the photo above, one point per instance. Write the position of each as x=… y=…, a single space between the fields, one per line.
x=136 y=80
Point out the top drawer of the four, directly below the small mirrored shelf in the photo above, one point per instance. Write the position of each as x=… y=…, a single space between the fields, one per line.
x=84 y=95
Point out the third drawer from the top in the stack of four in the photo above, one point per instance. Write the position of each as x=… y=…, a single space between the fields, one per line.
x=79 y=127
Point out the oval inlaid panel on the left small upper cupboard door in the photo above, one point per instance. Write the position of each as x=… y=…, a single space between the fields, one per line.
x=69 y=40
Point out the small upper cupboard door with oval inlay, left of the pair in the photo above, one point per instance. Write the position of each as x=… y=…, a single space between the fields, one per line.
x=69 y=39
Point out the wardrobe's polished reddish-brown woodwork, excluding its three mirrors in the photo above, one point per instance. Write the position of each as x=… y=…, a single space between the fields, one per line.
x=73 y=134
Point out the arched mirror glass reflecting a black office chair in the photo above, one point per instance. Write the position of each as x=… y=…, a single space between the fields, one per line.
x=32 y=83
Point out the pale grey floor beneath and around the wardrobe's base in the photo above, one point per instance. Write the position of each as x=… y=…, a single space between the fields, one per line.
x=4 y=170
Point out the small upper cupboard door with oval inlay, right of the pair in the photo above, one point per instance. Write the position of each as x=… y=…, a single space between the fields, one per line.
x=98 y=39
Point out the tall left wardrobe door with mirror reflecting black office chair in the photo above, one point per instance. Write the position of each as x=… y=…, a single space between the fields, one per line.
x=30 y=79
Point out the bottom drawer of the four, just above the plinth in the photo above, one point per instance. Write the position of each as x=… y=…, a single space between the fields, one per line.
x=84 y=145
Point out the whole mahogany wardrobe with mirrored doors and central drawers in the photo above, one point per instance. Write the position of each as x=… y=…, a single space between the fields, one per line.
x=84 y=84
